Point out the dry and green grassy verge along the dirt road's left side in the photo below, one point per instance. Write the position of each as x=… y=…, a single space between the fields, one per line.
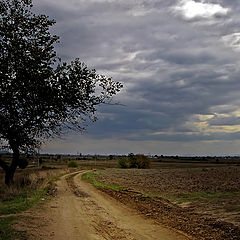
x=30 y=188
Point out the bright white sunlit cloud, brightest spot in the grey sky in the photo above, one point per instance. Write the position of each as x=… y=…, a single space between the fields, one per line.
x=190 y=9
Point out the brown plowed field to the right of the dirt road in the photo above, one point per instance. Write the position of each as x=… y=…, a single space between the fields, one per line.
x=202 y=202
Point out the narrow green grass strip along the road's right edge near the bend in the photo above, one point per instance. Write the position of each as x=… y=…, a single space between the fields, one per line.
x=92 y=177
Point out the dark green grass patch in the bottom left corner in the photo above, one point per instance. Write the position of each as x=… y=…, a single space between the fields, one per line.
x=7 y=232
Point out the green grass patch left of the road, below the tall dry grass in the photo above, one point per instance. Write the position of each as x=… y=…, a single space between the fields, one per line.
x=21 y=202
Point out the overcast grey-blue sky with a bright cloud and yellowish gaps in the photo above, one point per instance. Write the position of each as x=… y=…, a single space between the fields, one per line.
x=179 y=61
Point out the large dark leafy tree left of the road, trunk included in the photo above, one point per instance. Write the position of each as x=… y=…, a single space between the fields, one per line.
x=40 y=95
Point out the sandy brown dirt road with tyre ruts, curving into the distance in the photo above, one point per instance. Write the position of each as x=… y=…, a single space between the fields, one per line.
x=81 y=212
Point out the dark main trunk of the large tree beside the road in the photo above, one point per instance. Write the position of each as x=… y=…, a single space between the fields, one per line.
x=10 y=171
